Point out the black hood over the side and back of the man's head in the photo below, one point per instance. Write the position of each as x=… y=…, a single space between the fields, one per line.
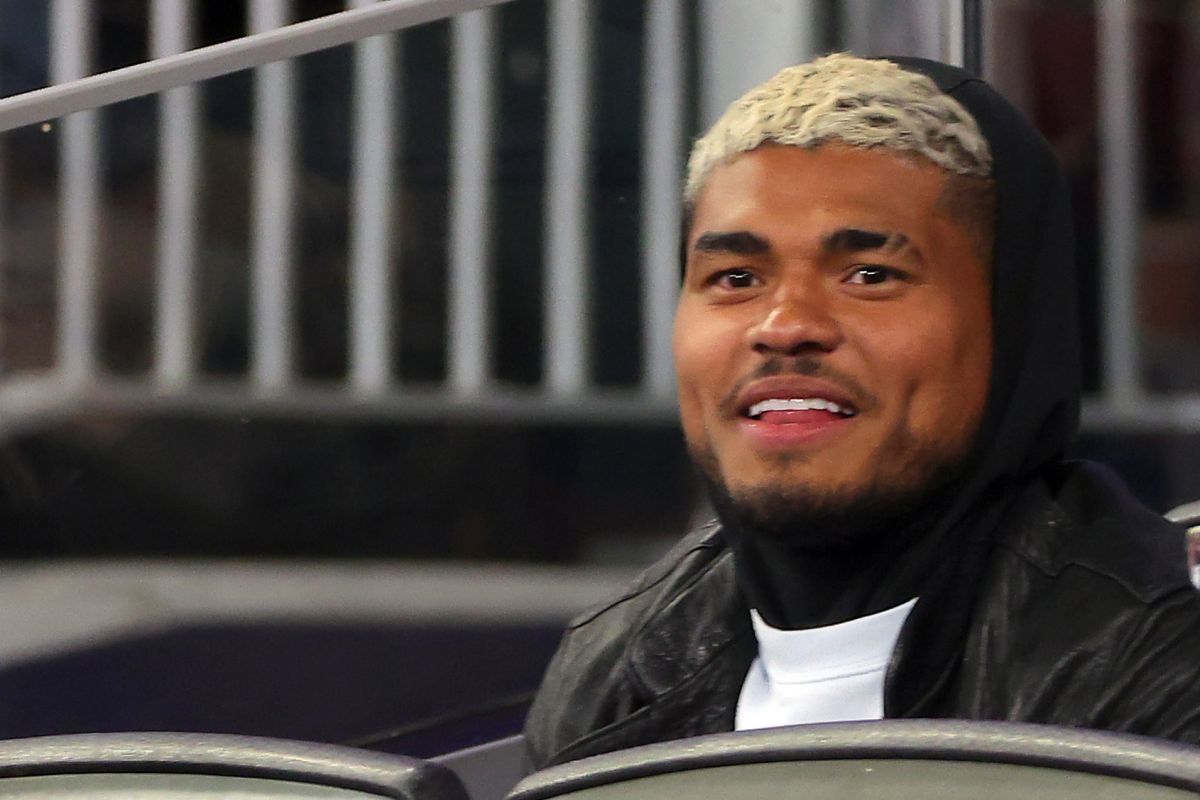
x=1033 y=413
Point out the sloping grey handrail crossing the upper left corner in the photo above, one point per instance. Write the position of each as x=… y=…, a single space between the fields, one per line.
x=215 y=61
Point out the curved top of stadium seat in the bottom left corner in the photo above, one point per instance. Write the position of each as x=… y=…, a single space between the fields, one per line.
x=203 y=767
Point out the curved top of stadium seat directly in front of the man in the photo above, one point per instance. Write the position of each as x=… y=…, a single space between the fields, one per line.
x=898 y=760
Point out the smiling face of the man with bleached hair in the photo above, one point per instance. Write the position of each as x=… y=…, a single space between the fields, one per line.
x=833 y=336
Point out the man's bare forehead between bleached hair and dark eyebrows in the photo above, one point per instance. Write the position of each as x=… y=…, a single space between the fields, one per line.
x=787 y=193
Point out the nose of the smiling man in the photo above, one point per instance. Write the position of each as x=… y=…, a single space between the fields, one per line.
x=799 y=321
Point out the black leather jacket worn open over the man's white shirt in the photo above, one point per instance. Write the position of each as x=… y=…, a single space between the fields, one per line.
x=1084 y=617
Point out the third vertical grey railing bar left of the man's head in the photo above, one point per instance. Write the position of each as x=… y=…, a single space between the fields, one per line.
x=471 y=194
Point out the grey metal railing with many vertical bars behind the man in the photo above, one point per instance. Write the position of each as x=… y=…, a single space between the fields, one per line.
x=371 y=389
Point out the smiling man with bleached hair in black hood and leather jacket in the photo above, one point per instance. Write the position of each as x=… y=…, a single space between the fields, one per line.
x=877 y=356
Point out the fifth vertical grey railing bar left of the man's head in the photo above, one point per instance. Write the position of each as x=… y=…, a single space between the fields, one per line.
x=272 y=270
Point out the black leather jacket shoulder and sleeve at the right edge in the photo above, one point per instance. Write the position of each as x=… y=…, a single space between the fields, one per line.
x=1089 y=618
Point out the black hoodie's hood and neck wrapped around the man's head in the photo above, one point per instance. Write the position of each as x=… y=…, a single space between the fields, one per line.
x=1029 y=424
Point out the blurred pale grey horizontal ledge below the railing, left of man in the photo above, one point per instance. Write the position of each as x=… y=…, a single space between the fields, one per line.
x=85 y=603
